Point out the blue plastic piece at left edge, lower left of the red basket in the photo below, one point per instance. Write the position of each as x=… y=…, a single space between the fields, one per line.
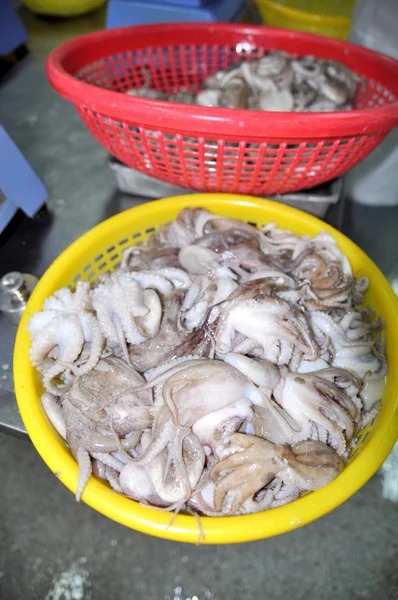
x=20 y=187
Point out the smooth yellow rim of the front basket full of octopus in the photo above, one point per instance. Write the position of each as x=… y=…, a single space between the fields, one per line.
x=218 y=529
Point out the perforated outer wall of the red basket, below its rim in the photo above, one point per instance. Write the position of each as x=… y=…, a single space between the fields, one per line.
x=232 y=166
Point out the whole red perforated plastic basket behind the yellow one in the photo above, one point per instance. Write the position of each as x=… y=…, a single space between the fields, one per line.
x=212 y=149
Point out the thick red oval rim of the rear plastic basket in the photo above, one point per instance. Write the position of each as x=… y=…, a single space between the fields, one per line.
x=167 y=117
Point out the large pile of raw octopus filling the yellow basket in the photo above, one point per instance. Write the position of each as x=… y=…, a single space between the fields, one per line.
x=221 y=370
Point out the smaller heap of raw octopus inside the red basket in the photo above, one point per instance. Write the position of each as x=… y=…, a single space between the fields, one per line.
x=277 y=81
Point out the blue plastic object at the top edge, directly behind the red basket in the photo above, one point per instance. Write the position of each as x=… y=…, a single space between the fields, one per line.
x=141 y=12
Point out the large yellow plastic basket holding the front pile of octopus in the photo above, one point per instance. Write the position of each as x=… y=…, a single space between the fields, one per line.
x=100 y=250
